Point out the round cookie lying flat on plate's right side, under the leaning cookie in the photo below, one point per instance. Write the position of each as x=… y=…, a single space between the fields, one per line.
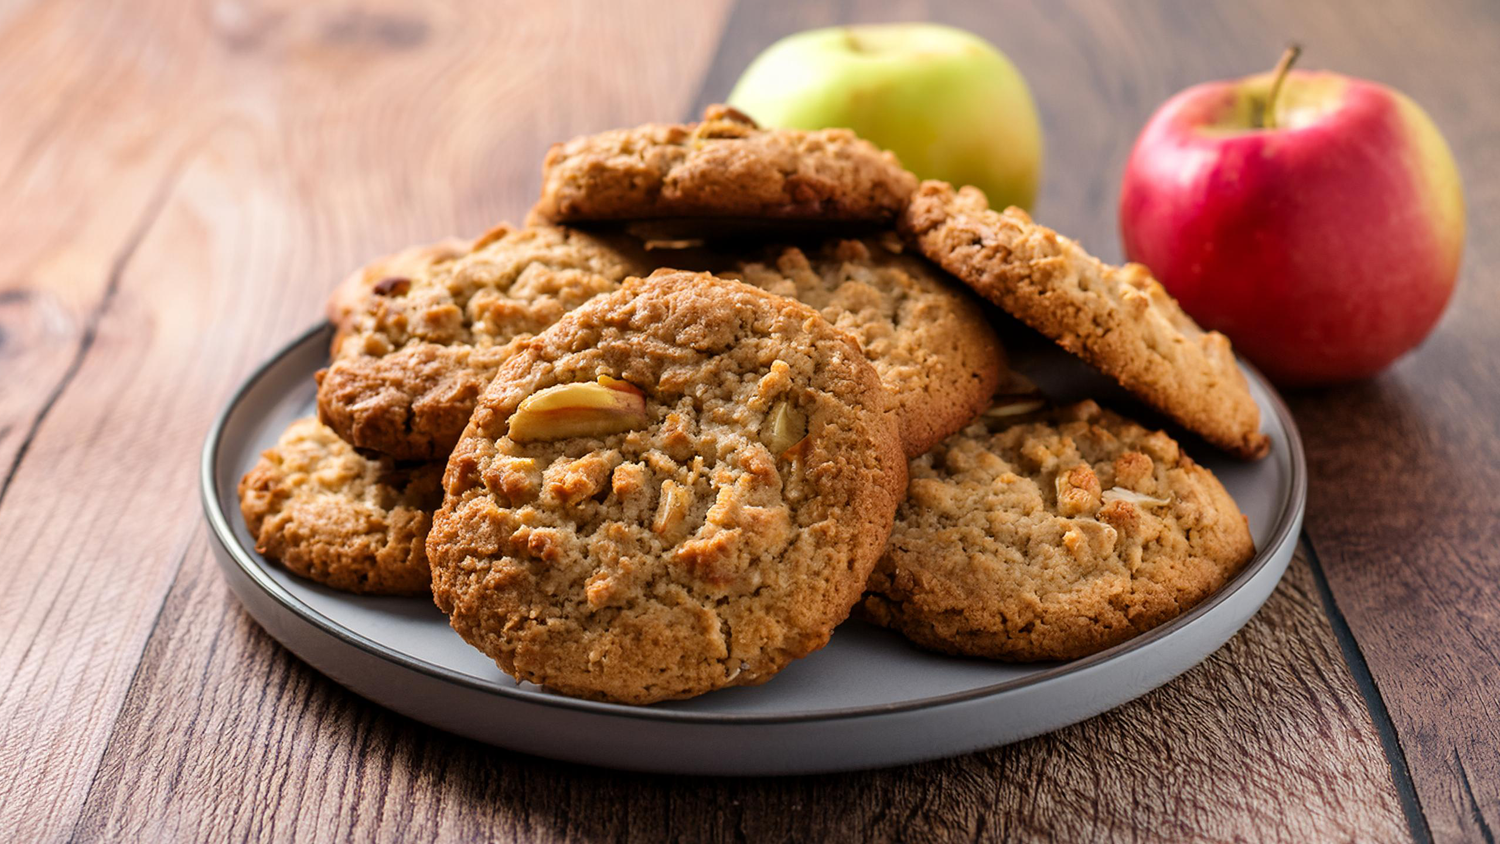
x=1054 y=536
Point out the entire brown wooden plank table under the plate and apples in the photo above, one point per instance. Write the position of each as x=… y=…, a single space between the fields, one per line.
x=184 y=184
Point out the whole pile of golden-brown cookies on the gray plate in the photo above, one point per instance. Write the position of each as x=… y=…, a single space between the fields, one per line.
x=640 y=452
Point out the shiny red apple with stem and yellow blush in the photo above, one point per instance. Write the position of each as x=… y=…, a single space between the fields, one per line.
x=1321 y=233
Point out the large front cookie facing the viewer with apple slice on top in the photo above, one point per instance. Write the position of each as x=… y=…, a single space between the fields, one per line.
x=679 y=488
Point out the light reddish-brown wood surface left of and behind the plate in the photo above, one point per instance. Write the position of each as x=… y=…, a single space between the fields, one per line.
x=184 y=185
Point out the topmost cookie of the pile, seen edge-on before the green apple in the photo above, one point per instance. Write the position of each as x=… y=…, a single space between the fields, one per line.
x=724 y=167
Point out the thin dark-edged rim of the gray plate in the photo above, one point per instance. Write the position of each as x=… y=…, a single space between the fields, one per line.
x=224 y=534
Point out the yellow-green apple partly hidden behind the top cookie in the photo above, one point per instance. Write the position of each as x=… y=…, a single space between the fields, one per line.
x=943 y=100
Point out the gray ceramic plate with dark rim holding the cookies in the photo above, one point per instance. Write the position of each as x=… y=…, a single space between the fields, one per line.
x=866 y=701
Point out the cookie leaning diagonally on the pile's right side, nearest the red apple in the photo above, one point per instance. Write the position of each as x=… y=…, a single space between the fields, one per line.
x=1117 y=319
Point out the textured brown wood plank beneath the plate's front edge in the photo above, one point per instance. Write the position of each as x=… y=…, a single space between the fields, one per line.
x=227 y=737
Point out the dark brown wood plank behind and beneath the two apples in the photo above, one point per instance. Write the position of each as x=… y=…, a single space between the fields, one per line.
x=1406 y=470
